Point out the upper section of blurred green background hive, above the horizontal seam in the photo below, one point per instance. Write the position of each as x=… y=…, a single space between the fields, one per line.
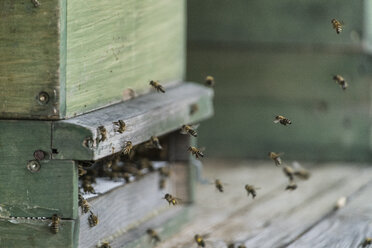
x=289 y=21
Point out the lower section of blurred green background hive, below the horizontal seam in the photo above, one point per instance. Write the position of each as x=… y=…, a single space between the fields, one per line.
x=254 y=86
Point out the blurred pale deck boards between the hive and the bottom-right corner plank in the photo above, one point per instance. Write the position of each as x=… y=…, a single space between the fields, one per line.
x=275 y=219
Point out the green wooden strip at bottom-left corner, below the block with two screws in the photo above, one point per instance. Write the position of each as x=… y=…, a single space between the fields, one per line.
x=35 y=233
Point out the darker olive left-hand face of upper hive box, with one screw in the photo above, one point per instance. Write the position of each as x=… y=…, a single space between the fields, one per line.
x=29 y=59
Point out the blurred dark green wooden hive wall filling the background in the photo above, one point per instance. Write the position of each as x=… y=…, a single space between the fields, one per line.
x=279 y=57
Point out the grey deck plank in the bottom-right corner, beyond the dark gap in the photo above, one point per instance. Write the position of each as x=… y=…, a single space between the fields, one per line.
x=347 y=227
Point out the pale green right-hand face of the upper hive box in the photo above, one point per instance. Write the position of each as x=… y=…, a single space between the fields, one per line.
x=121 y=45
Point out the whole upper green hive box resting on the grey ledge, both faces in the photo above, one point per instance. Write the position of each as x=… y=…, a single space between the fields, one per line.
x=64 y=58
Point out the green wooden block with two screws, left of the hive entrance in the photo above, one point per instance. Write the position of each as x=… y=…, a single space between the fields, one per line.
x=24 y=194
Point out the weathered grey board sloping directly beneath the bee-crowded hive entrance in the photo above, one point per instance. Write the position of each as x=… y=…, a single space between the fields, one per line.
x=129 y=206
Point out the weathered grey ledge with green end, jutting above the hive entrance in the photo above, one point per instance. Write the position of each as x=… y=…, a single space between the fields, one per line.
x=153 y=114
